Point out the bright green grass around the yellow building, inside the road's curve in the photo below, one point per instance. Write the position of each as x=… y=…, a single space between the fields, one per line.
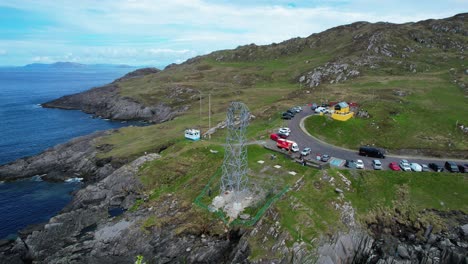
x=424 y=119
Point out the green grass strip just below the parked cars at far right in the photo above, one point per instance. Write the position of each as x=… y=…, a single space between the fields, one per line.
x=442 y=191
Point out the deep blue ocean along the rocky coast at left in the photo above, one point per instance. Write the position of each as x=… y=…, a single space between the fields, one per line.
x=27 y=129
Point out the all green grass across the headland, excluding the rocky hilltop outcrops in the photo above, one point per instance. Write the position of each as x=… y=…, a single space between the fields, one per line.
x=267 y=84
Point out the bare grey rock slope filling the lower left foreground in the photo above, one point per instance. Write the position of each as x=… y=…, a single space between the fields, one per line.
x=85 y=233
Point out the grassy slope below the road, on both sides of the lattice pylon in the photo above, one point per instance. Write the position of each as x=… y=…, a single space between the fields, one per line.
x=306 y=212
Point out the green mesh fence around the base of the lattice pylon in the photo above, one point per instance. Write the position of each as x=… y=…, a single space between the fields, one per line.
x=237 y=222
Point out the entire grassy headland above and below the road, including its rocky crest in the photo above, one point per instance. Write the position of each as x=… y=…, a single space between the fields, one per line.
x=418 y=60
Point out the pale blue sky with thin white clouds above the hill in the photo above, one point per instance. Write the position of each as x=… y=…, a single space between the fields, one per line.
x=155 y=33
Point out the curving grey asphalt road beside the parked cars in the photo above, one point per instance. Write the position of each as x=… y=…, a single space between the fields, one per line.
x=303 y=139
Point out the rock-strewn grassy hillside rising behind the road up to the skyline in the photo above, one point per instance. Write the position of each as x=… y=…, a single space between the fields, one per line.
x=424 y=61
